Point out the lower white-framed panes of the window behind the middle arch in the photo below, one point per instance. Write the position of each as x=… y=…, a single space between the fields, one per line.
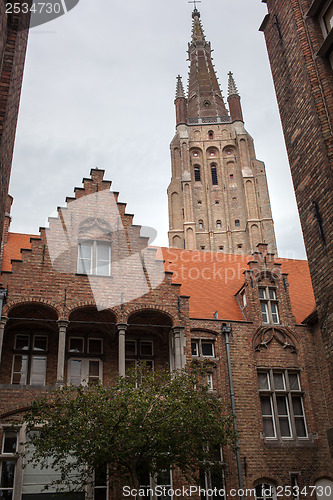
x=84 y=371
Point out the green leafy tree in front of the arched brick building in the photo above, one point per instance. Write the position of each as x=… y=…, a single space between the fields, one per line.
x=169 y=421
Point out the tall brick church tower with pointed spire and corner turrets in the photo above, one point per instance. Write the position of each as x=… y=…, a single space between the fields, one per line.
x=218 y=196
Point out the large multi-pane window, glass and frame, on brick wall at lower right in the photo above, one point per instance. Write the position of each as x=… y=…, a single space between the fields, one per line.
x=282 y=405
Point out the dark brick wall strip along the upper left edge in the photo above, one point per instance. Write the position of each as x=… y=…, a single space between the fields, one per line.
x=13 y=42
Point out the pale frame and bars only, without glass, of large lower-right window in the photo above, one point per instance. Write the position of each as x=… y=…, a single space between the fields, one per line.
x=288 y=393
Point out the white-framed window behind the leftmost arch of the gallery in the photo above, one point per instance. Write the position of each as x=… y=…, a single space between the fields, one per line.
x=29 y=360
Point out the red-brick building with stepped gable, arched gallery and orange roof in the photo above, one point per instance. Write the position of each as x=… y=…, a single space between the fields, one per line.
x=176 y=303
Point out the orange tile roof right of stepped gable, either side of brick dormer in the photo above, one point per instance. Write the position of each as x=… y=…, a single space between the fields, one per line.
x=212 y=279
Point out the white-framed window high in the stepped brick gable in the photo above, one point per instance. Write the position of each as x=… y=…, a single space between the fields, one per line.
x=94 y=257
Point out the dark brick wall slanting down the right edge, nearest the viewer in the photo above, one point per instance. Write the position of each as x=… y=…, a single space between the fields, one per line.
x=299 y=38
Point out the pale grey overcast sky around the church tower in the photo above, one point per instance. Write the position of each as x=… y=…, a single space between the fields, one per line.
x=98 y=91
